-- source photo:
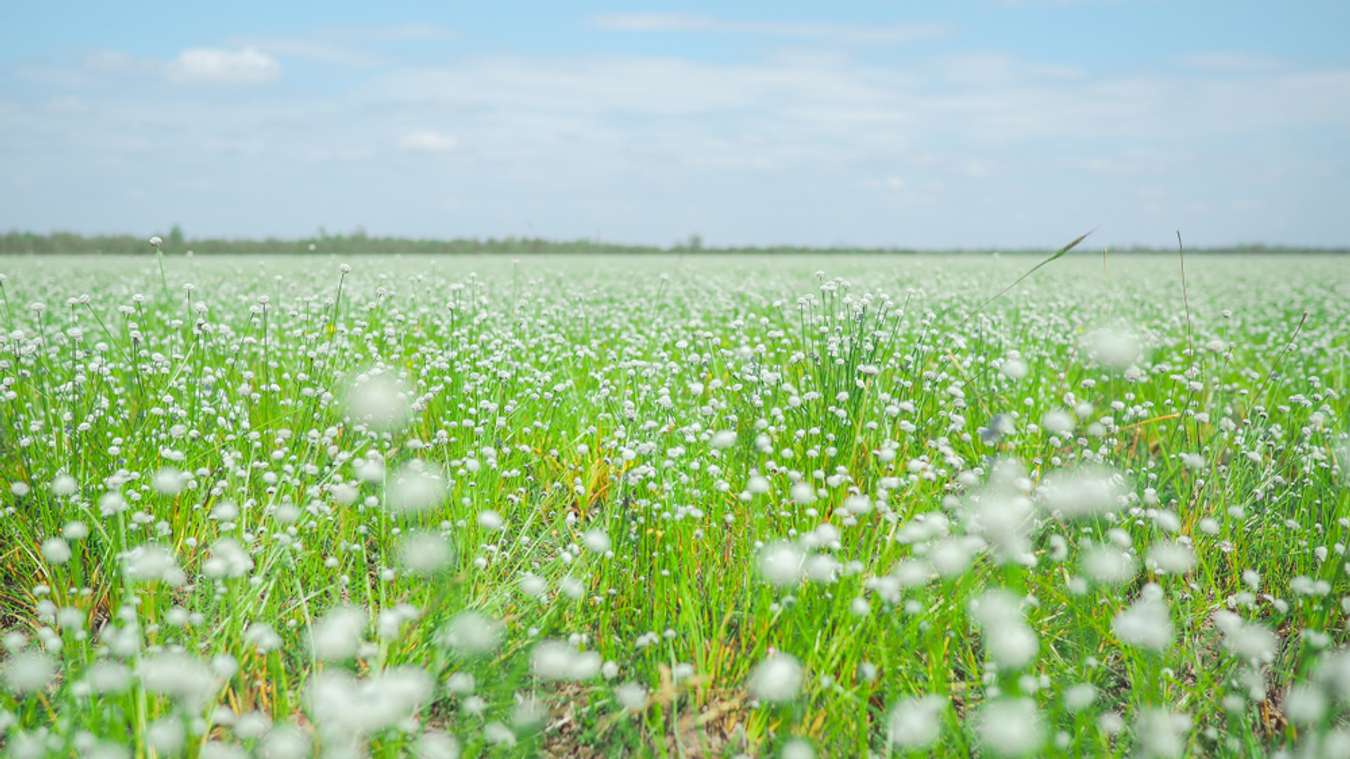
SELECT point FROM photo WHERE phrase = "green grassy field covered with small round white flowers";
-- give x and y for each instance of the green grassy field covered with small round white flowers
(445, 507)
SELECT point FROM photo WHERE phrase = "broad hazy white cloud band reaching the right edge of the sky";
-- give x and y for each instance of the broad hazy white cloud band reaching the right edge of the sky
(840, 106)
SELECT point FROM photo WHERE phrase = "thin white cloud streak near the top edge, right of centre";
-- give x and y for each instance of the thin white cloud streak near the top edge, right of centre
(815, 32)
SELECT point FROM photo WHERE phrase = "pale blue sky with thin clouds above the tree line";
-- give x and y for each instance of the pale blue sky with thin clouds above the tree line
(1006, 124)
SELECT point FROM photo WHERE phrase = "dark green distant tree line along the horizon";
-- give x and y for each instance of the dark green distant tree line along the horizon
(358, 242)
